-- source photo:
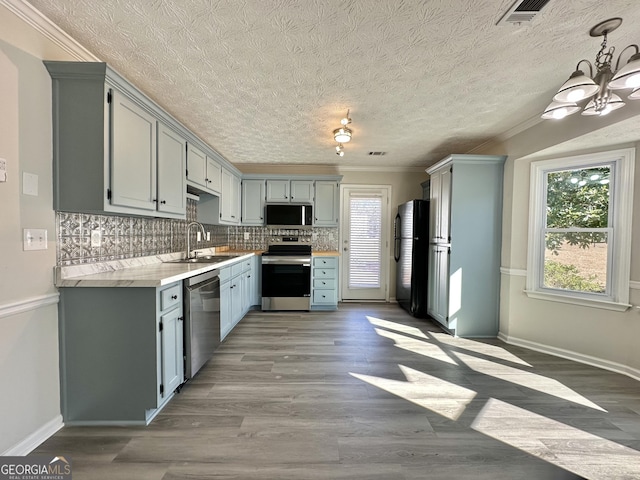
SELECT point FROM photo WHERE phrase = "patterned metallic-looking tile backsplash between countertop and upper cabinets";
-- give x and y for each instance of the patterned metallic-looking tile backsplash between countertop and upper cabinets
(127, 237)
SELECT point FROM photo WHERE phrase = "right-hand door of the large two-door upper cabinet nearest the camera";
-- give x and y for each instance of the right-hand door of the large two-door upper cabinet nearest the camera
(171, 166)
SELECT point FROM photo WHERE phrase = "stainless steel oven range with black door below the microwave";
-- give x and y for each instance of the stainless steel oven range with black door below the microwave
(286, 274)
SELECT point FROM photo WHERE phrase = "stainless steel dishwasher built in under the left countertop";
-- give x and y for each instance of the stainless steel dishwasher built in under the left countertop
(202, 320)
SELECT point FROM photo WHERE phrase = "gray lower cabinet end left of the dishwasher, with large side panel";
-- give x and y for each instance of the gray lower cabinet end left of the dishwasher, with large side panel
(121, 352)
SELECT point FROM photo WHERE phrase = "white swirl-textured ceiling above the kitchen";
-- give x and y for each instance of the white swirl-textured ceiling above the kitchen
(266, 81)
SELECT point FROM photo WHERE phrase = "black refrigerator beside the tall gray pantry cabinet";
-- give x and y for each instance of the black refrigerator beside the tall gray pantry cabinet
(411, 252)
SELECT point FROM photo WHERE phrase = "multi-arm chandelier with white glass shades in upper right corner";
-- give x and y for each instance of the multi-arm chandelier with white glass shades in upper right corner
(598, 88)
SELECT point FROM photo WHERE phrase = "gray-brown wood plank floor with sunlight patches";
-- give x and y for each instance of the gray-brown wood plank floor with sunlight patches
(369, 392)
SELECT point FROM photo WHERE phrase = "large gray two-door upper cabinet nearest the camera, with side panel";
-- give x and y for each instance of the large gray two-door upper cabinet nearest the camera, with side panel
(113, 149)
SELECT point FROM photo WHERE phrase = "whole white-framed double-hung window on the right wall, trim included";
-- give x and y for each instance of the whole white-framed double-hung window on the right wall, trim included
(580, 229)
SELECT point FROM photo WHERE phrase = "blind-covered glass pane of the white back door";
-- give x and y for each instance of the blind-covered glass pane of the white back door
(365, 233)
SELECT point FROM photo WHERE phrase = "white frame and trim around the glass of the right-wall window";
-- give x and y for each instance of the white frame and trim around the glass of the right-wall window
(622, 163)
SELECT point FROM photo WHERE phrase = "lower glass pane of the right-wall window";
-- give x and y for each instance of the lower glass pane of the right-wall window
(576, 261)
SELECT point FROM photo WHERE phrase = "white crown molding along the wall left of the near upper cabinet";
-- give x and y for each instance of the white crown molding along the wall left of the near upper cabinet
(32, 17)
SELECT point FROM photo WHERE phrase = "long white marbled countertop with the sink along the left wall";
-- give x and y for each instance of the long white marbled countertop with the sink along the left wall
(136, 272)
